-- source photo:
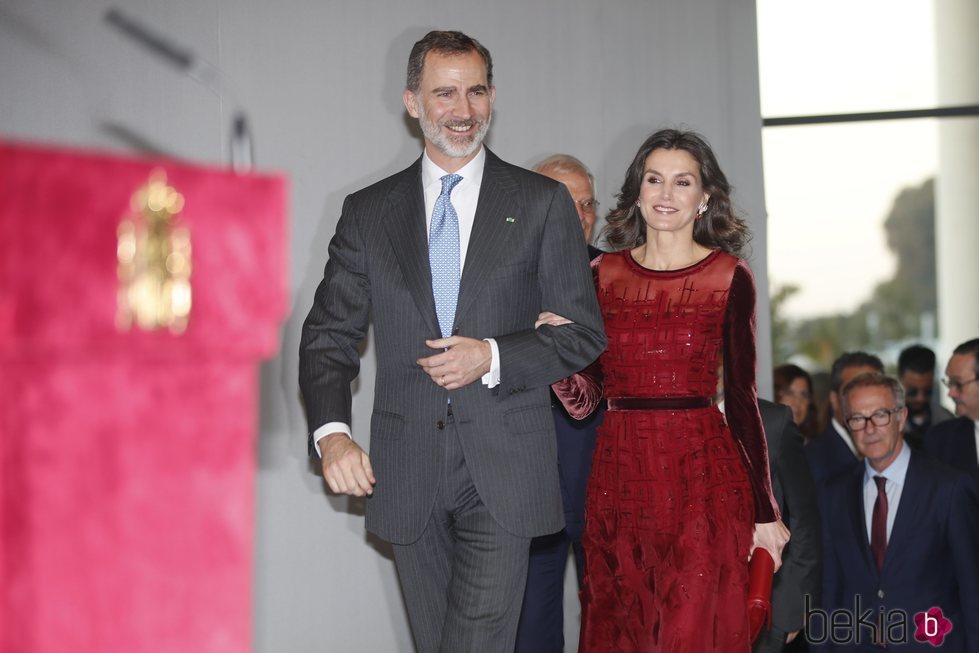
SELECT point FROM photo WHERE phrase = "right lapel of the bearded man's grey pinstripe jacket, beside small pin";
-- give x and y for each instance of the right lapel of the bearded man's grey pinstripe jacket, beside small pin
(498, 201)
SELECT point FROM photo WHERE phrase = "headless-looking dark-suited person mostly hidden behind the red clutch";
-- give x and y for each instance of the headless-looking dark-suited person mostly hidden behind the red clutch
(795, 492)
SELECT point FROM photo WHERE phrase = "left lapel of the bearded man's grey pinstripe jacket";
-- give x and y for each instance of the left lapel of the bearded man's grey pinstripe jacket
(406, 229)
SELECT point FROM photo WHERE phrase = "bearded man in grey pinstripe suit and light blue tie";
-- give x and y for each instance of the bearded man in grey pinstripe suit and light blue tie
(462, 471)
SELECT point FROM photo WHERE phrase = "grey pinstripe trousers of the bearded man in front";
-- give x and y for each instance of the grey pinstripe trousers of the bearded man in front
(463, 580)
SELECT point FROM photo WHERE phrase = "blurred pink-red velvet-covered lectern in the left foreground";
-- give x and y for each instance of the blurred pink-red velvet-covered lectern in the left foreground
(127, 458)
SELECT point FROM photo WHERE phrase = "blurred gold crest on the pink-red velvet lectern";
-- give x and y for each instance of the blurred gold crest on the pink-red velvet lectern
(154, 266)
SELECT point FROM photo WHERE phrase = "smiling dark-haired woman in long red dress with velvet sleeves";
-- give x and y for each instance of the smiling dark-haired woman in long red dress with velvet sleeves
(678, 496)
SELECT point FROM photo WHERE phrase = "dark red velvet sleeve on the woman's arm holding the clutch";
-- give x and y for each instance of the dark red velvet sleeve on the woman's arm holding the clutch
(740, 391)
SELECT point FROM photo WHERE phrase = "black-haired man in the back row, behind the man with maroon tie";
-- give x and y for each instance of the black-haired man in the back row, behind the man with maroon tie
(916, 372)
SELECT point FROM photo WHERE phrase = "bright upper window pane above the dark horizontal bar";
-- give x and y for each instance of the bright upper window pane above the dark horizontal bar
(841, 56)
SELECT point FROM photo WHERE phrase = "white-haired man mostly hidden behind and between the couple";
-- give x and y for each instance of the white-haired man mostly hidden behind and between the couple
(541, 627)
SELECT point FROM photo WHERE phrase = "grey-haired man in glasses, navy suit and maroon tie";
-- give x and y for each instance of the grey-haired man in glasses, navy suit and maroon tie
(901, 532)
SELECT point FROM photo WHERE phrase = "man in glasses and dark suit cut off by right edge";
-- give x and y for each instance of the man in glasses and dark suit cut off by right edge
(956, 442)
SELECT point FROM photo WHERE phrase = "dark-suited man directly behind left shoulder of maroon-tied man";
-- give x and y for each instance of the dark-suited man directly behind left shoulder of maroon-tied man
(833, 449)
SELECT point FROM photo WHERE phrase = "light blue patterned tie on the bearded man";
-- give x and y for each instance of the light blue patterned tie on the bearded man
(443, 255)
